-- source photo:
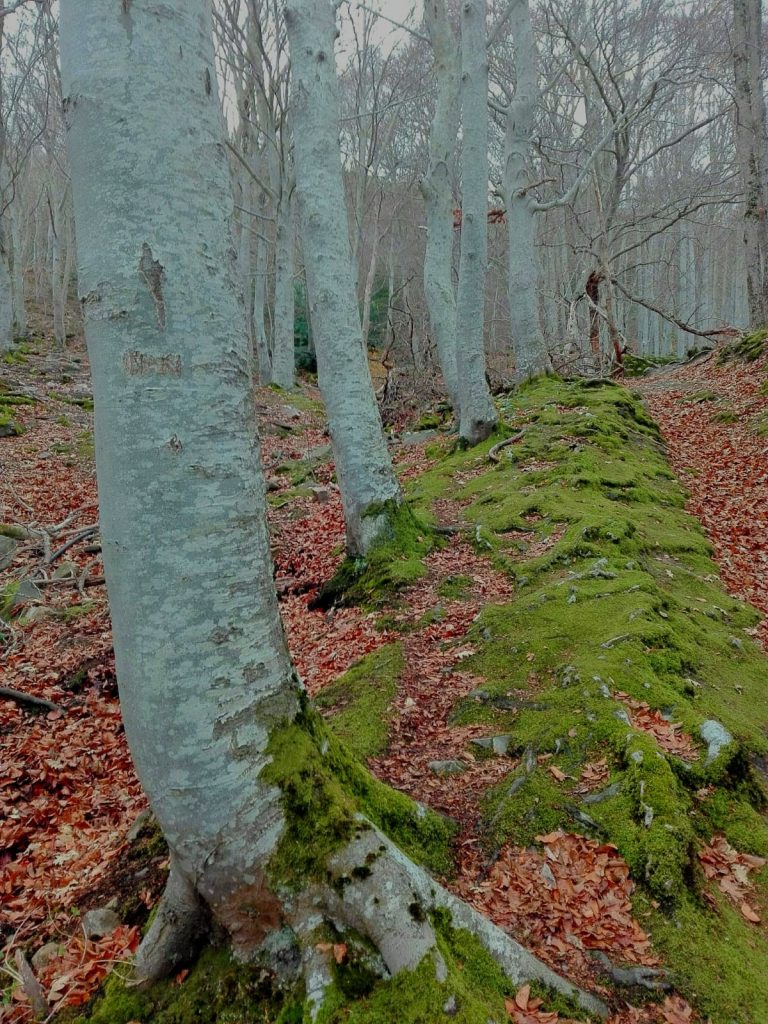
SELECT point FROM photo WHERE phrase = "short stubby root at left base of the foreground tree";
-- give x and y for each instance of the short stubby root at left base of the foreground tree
(177, 934)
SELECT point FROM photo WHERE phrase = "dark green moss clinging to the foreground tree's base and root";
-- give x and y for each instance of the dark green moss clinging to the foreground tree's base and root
(324, 791)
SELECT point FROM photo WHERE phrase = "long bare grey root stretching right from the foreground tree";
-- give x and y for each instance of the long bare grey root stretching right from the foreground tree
(378, 891)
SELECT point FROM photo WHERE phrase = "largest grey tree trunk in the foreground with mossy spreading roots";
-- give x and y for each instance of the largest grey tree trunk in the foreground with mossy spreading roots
(244, 781)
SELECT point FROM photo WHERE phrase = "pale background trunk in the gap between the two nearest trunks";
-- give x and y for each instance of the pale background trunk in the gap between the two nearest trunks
(283, 362)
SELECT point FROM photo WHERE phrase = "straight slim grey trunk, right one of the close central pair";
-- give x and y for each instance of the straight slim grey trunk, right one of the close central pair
(478, 417)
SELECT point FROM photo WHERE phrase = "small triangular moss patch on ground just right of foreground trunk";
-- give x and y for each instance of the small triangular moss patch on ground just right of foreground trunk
(358, 705)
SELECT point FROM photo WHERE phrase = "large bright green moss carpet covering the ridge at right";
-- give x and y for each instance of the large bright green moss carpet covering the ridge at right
(626, 598)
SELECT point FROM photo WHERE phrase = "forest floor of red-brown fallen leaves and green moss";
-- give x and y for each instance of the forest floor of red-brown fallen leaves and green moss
(494, 703)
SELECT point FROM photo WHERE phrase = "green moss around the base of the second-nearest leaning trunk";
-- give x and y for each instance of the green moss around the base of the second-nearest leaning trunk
(395, 563)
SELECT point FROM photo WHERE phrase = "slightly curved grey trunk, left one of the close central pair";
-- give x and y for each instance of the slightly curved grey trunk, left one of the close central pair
(439, 196)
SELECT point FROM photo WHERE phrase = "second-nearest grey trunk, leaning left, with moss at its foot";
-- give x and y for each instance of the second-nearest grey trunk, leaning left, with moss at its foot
(363, 463)
